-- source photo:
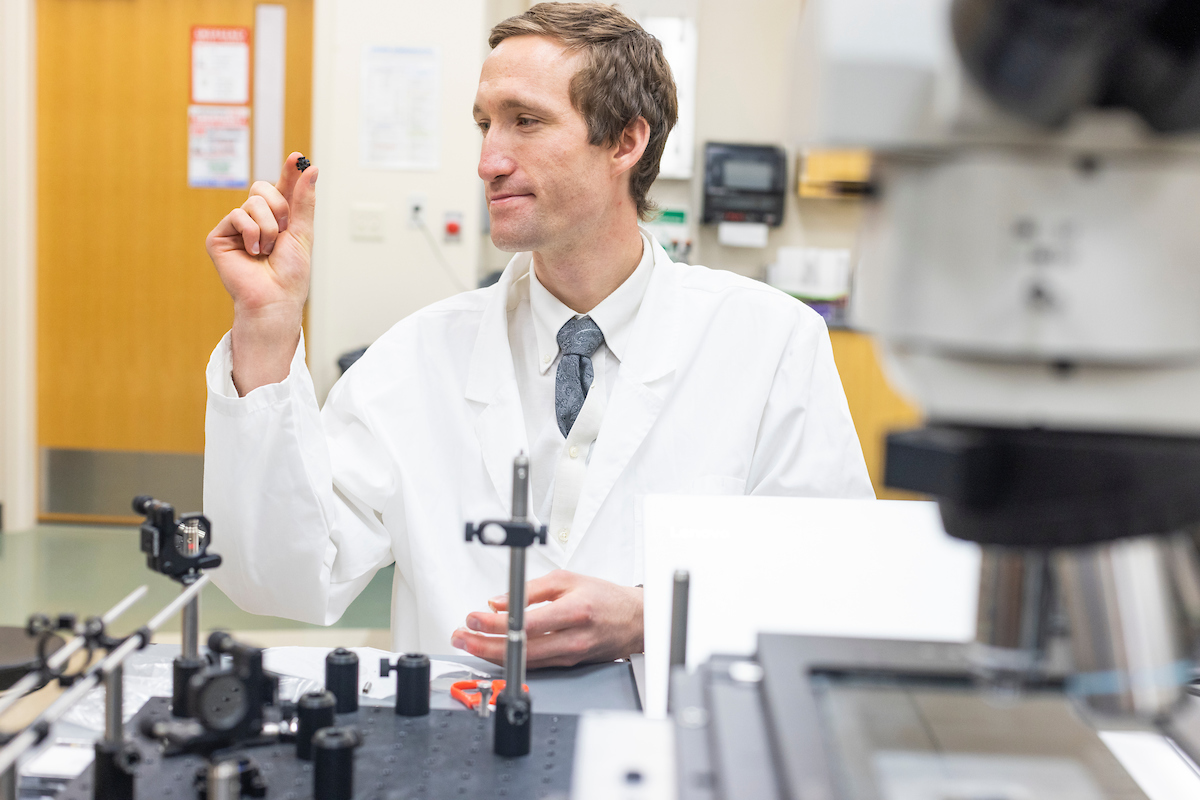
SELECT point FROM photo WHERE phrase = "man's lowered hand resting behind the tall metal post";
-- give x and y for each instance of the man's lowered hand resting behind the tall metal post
(585, 621)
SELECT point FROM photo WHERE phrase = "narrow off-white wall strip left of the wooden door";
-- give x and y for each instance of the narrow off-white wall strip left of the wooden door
(17, 298)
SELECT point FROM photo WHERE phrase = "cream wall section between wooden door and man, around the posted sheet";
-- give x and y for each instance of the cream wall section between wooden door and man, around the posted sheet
(362, 288)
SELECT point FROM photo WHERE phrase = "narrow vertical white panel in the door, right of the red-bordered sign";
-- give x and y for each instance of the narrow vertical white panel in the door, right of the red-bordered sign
(271, 67)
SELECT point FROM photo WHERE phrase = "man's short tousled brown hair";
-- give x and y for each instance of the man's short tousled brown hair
(625, 76)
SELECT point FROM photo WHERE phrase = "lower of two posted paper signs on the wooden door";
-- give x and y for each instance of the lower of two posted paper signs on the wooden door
(219, 147)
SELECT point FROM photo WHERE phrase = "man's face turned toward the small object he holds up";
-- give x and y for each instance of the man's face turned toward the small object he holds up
(545, 184)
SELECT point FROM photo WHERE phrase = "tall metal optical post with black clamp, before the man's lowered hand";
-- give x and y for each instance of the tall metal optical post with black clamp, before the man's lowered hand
(514, 711)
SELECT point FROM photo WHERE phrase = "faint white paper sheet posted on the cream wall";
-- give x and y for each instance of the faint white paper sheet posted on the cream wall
(400, 109)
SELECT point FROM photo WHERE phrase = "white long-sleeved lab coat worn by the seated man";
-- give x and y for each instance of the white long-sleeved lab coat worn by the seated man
(729, 387)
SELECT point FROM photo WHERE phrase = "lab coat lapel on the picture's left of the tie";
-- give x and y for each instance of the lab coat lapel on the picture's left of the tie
(491, 382)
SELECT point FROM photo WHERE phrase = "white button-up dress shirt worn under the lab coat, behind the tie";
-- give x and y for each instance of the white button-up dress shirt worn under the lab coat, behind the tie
(559, 464)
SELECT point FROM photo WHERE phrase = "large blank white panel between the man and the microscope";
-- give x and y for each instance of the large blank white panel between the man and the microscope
(872, 569)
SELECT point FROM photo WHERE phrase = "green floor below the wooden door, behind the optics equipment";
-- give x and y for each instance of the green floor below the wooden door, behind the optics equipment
(86, 570)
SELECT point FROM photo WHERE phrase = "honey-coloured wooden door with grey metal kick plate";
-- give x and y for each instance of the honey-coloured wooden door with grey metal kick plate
(129, 305)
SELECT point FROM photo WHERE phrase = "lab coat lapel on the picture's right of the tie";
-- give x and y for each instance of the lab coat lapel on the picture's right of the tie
(644, 384)
